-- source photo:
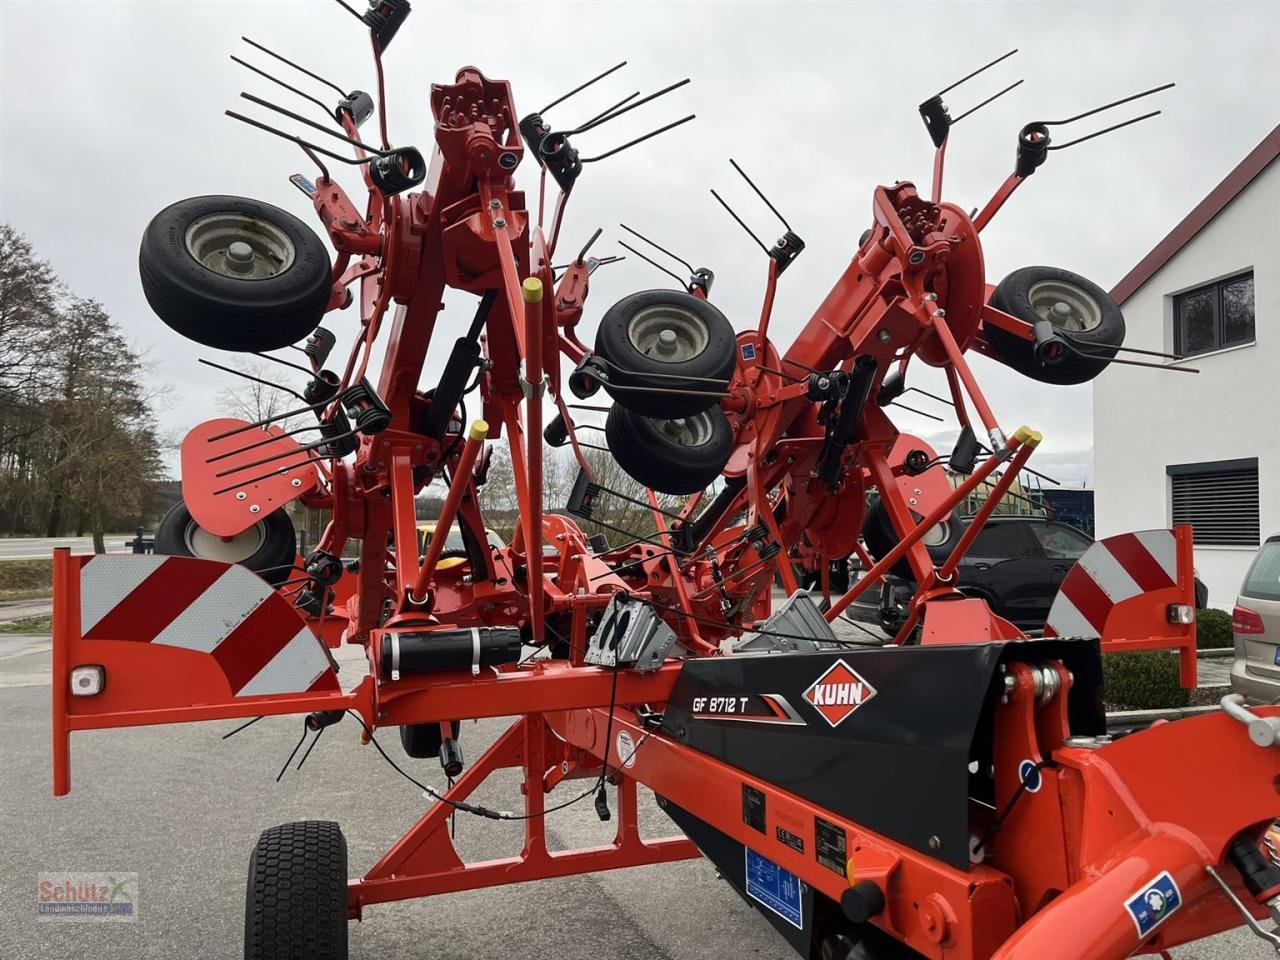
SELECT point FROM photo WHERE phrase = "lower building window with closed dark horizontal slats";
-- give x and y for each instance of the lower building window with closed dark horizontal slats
(1219, 500)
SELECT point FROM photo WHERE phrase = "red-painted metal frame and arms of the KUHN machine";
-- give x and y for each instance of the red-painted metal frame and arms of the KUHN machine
(1108, 815)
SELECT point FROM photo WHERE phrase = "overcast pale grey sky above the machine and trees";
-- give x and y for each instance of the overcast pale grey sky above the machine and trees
(112, 111)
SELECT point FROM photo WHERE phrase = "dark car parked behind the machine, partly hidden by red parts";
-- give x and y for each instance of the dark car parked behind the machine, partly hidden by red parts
(1016, 564)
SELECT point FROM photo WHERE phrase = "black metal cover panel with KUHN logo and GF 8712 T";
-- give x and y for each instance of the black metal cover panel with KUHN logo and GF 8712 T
(883, 737)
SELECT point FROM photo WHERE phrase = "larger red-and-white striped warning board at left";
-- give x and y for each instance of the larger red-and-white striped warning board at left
(258, 639)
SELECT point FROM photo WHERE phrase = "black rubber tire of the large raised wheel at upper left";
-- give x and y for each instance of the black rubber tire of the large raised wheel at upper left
(230, 313)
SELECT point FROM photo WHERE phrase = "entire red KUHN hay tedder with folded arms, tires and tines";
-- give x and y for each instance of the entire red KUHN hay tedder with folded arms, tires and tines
(950, 793)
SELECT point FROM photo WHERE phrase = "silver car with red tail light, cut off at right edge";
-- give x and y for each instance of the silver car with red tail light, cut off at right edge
(1256, 627)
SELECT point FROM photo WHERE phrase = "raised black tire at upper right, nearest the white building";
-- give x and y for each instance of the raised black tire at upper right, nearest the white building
(1013, 298)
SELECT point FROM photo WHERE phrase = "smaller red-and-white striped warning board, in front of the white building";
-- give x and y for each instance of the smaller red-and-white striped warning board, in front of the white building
(1112, 572)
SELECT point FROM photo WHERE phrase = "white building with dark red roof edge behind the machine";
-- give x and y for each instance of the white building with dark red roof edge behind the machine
(1203, 449)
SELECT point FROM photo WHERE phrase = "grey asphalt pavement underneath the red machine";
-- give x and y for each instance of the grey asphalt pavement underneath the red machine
(182, 808)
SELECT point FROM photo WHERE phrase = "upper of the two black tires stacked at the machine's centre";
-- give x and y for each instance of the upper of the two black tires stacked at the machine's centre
(714, 363)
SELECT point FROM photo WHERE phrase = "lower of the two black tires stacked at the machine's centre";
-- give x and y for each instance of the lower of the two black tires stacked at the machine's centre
(655, 460)
